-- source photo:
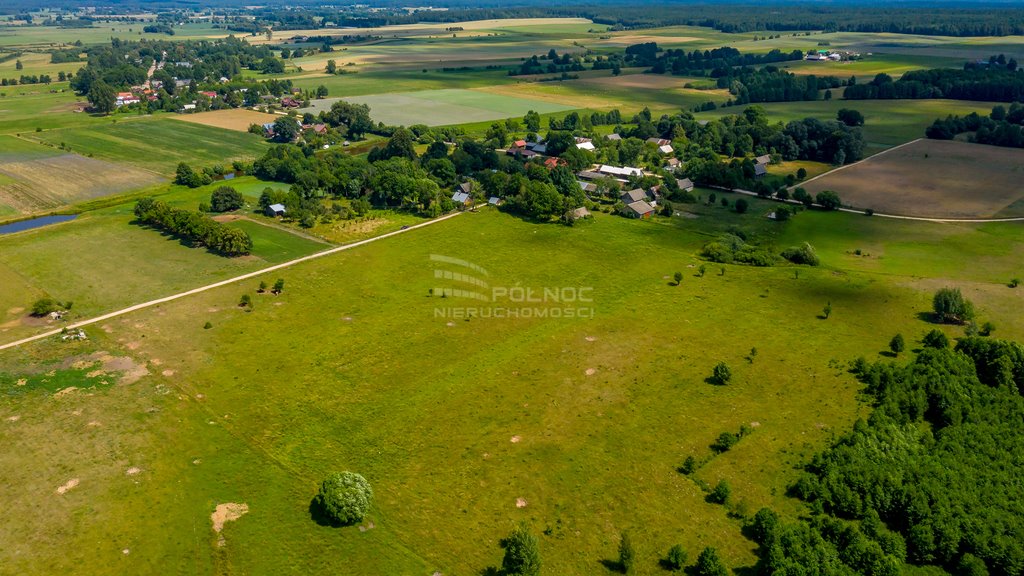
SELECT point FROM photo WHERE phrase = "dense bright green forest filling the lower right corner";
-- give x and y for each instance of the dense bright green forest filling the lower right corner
(931, 478)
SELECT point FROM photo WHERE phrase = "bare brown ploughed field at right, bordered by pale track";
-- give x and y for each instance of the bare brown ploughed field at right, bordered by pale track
(935, 179)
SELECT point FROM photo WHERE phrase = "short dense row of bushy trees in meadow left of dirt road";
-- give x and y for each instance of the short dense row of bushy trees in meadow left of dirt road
(194, 227)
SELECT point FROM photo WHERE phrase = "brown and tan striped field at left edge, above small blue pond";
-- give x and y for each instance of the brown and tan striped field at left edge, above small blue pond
(50, 183)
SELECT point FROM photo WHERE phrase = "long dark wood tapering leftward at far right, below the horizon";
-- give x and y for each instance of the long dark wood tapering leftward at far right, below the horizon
(996, 80)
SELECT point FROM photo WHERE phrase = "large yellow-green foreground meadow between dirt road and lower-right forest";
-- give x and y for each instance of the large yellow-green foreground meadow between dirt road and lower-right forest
(454, 421)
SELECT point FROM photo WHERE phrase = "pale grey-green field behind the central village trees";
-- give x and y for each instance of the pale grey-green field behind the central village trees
(437, 108)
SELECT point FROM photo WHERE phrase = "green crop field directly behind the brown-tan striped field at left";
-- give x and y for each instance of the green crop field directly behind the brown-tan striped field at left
(158, 144)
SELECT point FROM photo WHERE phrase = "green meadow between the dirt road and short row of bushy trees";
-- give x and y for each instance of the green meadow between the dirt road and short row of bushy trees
(103, 263)
